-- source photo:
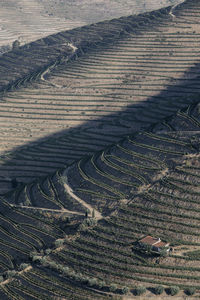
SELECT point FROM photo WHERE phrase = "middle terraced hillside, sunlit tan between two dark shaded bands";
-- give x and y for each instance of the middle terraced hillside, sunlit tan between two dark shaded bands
(104, 89)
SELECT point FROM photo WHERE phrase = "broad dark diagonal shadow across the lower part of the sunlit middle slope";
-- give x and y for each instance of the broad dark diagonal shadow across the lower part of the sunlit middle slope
(145, 115)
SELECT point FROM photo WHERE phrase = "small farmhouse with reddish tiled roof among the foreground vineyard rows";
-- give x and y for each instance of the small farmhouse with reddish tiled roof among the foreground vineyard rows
(153, 244)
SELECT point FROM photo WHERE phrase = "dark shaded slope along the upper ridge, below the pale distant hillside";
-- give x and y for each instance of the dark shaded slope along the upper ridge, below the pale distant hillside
(25, 63)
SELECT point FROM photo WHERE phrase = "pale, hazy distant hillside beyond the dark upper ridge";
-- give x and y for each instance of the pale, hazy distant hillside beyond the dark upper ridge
(27, 21)
